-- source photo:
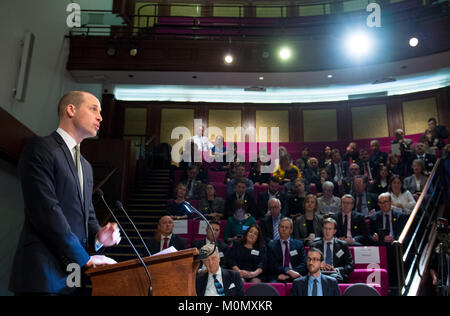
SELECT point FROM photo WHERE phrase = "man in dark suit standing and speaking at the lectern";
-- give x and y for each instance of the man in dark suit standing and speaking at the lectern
(60, 221)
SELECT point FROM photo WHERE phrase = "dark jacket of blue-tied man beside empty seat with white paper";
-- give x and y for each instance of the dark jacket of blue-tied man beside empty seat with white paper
(344, 263)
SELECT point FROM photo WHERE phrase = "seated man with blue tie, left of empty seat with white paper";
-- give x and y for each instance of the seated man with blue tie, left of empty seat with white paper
(338, 259)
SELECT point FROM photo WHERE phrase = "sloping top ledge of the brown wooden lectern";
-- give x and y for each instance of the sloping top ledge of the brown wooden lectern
(135, 263)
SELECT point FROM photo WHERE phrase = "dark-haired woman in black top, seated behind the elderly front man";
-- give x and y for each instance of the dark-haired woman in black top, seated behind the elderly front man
(248, 257)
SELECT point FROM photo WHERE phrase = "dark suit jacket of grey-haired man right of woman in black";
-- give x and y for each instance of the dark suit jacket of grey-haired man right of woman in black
(275, 258)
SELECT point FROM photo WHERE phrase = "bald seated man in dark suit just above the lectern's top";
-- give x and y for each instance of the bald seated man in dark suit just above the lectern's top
(165, 238)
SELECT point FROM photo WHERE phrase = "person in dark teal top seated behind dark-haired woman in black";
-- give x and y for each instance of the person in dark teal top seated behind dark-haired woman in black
(238, 223)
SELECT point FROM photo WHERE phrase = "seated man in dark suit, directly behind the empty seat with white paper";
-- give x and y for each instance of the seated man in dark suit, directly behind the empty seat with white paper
(351, 225)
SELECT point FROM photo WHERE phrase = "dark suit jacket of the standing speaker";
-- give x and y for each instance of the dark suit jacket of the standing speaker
(59, 223)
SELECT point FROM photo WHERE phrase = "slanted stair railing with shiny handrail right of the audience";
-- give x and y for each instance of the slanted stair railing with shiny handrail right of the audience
(413, 240)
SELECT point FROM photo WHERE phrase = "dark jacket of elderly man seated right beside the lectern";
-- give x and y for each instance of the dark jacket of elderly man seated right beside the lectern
(229, 277)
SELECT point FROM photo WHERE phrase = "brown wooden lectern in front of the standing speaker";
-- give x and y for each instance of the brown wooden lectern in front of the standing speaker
(172, 274)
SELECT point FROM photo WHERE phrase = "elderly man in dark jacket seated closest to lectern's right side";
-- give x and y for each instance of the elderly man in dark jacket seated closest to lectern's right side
(215, 281)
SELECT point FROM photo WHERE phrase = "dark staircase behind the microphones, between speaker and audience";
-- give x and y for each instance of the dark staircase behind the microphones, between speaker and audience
(145, 207)
